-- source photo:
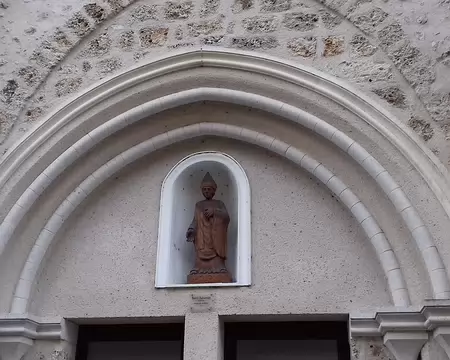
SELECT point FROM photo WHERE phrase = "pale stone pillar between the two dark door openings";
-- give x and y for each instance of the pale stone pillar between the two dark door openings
(203, 337)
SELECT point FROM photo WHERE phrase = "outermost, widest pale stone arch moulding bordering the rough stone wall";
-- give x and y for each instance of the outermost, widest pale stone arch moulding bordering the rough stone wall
(431, 169)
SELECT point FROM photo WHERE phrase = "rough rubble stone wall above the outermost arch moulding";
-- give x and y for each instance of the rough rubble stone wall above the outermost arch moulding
(396, 52)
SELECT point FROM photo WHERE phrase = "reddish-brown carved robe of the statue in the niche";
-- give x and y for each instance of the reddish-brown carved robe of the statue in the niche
(210, 235)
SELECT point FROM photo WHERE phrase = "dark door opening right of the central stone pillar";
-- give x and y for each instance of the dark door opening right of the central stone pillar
(321, 340)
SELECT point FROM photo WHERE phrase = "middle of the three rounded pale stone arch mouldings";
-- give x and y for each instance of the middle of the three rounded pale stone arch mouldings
(439, 278)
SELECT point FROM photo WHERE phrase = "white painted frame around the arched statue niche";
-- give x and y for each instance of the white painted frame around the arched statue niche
(168, 251)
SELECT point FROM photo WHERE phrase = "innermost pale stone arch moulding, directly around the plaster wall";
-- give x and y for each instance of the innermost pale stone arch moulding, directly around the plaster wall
(391, 268)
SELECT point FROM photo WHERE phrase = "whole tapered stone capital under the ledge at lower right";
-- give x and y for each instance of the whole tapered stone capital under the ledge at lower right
(405, 345)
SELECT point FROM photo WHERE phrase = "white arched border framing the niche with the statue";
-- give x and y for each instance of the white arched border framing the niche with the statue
(244, 233)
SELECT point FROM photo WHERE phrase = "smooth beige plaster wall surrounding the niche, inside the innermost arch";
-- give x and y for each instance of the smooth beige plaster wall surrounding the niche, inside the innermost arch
(104, 263)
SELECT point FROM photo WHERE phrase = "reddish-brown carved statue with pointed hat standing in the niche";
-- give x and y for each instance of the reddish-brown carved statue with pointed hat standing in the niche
(208, 232)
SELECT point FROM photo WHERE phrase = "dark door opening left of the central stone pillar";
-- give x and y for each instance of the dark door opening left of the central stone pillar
(140, 341)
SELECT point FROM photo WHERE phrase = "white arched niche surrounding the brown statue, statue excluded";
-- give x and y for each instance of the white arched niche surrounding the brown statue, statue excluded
(180, 191)
